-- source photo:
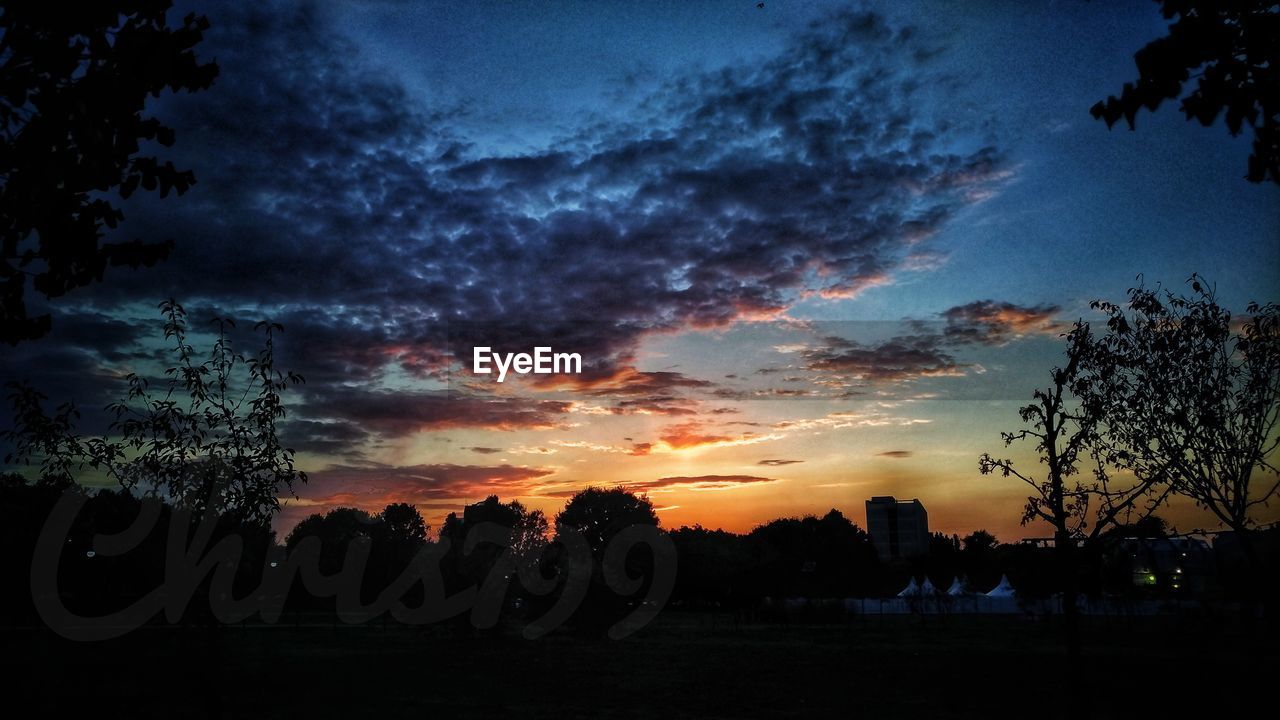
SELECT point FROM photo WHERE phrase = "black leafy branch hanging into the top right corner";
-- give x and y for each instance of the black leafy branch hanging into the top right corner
(1232, 49)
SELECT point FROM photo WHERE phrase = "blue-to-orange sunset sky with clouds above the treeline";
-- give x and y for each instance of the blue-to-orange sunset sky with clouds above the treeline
(810, 253)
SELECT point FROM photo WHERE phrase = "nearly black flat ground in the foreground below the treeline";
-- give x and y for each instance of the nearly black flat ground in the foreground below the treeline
(684, 666)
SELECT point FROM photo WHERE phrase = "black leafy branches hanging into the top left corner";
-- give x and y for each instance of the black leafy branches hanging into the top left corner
(74, 88)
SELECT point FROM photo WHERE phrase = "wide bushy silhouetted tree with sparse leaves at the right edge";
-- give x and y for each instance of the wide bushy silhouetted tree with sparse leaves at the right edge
(1191, 398)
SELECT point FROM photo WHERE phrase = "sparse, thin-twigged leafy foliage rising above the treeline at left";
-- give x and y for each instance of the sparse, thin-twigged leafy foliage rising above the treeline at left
(207, 441)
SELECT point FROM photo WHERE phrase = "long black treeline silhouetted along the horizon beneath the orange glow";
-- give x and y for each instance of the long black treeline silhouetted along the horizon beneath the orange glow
(500, 562)
